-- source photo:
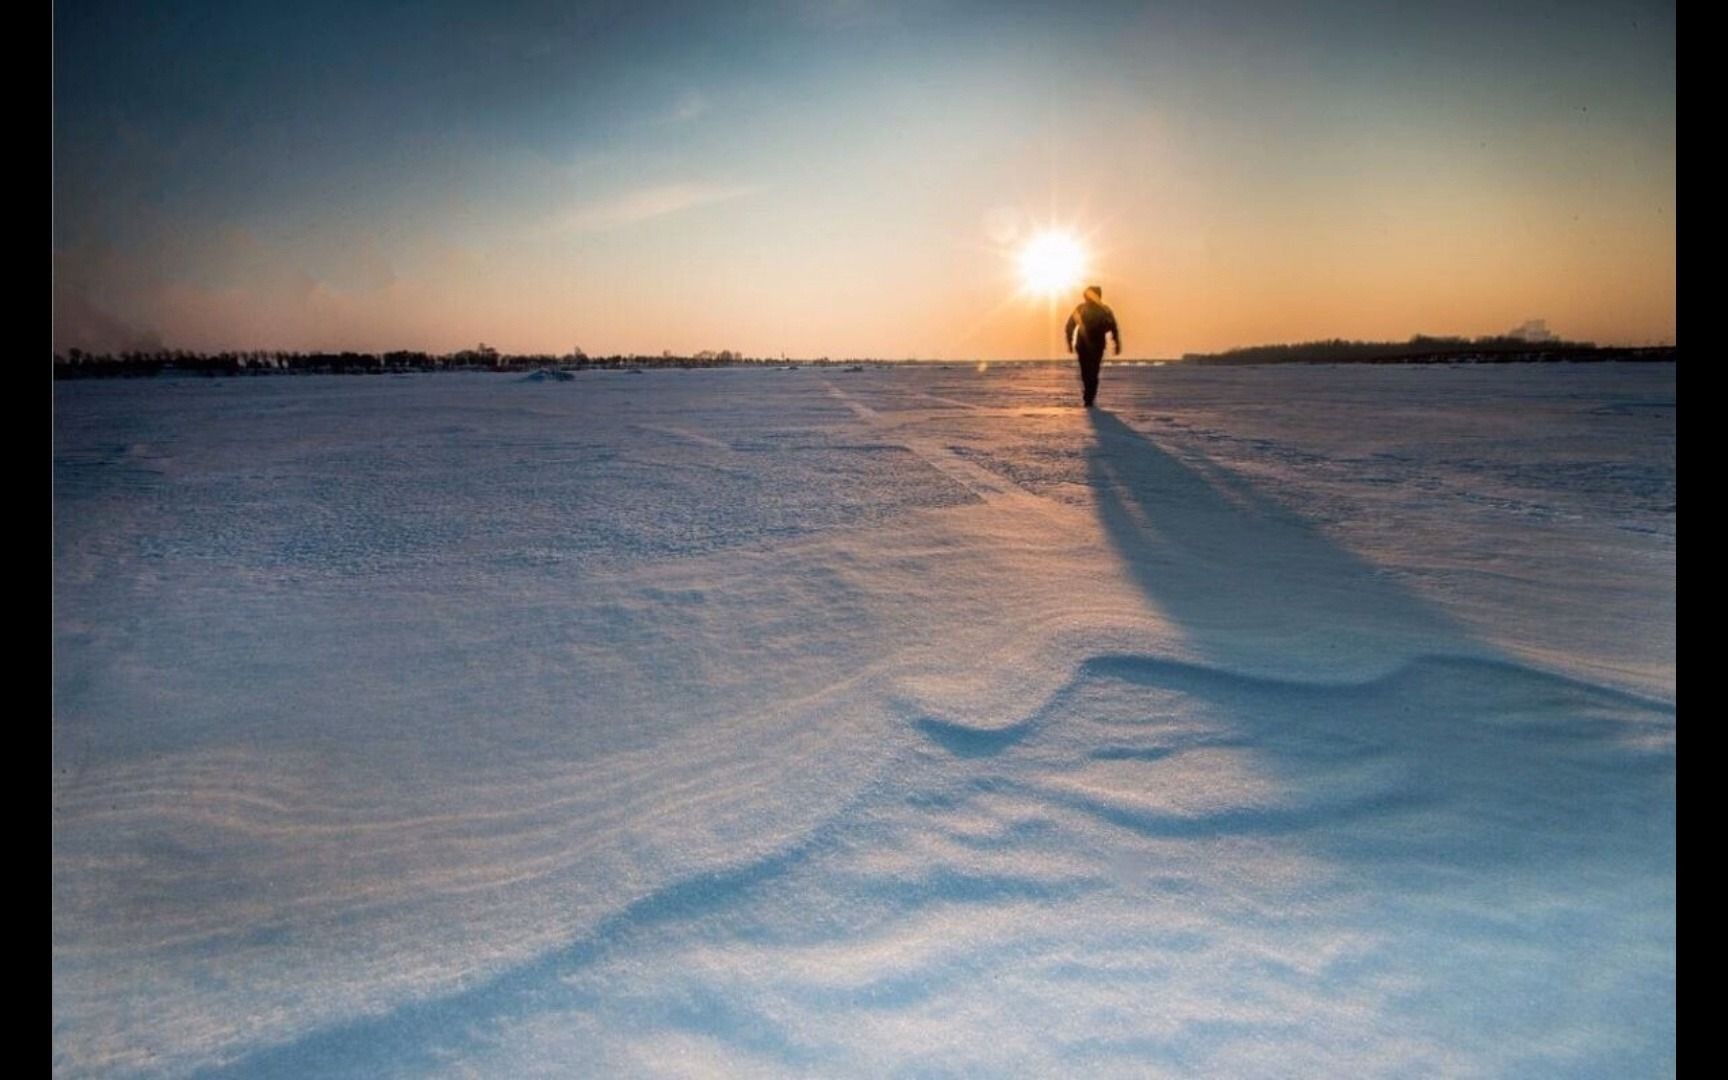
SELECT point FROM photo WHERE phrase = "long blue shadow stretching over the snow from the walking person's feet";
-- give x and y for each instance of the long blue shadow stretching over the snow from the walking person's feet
(1473, 732)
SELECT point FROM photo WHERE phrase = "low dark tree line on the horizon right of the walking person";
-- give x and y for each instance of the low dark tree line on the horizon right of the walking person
(1430, 350)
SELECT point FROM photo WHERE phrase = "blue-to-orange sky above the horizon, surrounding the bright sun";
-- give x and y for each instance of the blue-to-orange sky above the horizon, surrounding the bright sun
(846, 179)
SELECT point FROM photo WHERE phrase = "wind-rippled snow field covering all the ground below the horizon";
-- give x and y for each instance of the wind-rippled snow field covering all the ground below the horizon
(1266, 723)
